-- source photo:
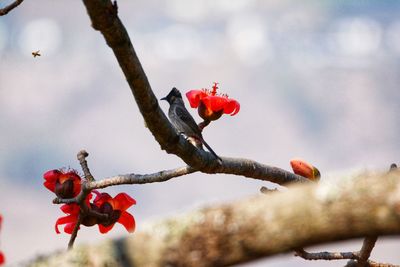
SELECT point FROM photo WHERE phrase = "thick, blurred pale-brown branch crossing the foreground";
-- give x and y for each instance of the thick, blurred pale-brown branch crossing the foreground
(252, 228)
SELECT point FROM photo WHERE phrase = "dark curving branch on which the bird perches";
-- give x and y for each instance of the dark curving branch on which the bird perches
(103, 15)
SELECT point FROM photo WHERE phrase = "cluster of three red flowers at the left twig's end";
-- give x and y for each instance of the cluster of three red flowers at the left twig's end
(68, 185)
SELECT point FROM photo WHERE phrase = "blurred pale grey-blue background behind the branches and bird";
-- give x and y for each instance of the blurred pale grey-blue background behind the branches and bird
(315, 79)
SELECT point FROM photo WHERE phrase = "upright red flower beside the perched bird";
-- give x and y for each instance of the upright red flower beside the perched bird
(210, 105)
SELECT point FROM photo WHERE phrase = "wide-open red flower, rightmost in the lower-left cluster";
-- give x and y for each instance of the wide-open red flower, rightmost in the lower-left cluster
(116, 209)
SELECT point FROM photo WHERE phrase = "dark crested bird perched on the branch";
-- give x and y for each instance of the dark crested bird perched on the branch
(183, 121)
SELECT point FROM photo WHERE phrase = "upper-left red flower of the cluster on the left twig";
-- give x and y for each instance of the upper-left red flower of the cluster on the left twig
(63, 184)
